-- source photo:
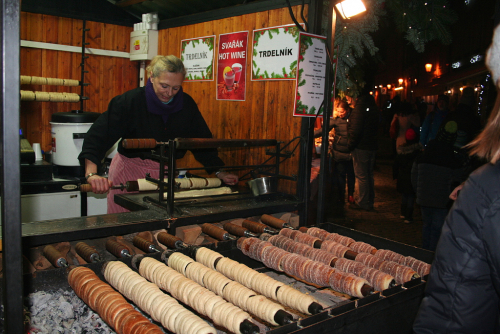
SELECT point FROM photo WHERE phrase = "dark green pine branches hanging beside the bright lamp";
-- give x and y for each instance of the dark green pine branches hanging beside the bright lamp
(420, 20)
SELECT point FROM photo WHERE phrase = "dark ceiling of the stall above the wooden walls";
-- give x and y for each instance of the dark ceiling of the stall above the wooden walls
(171, 12)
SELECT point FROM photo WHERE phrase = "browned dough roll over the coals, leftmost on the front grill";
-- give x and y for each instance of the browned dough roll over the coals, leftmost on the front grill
(108, 303)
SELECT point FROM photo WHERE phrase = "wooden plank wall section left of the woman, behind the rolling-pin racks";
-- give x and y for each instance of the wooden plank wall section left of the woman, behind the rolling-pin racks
(107, 76)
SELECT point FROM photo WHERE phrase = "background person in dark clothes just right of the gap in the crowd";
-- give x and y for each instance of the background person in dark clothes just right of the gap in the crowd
(406, 155)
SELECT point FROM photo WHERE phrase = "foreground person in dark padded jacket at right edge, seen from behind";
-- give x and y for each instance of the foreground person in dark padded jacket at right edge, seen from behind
(463, 290)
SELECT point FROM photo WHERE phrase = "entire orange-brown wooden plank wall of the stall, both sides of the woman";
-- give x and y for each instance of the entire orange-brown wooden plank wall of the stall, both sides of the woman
(266, 113)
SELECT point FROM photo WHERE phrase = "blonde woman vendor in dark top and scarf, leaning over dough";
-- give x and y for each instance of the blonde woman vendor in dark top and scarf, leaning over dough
(160, 110)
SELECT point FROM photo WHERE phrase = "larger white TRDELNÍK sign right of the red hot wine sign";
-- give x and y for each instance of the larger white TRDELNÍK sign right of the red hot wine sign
(275, 53)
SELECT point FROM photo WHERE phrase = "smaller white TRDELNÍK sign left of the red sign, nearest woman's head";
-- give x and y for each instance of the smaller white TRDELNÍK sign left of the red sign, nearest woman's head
(198, 57)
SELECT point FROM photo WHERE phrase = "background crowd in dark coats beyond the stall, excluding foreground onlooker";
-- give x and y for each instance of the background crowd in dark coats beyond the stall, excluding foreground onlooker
(430, 158)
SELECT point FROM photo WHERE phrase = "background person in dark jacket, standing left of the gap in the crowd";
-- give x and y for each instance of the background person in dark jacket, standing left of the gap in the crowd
(363, 146)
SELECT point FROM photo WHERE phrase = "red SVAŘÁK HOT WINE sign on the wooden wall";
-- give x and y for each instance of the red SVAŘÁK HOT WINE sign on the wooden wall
(232, 64)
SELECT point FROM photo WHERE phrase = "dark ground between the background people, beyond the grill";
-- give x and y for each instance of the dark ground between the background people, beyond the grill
(385, 222)
